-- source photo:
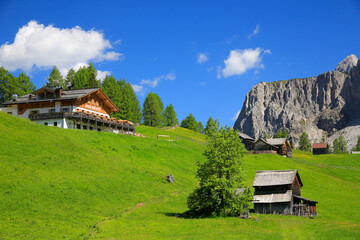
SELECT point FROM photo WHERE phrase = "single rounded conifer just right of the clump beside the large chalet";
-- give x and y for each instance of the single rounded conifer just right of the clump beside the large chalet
(152, 110)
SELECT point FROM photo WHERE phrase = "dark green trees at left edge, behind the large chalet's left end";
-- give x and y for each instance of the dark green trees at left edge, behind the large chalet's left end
(10, 85)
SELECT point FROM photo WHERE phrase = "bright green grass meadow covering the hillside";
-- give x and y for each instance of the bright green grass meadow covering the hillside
(71, 184)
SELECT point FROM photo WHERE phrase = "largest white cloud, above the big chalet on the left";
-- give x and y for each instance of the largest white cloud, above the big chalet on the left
(36, 45)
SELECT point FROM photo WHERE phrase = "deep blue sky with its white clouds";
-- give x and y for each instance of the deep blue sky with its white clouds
(201, 56)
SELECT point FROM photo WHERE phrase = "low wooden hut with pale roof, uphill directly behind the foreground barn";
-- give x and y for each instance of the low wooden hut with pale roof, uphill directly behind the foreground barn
(273, 145)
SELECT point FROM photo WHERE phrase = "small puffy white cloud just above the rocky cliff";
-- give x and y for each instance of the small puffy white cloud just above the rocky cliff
(241, 60)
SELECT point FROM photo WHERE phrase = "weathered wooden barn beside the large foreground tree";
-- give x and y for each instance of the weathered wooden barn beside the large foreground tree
(279, 192)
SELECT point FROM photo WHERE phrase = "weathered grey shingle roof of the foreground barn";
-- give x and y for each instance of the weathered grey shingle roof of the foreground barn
(277, 177)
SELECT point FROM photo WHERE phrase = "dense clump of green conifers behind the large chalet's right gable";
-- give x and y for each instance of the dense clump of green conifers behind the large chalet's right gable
(124, 97)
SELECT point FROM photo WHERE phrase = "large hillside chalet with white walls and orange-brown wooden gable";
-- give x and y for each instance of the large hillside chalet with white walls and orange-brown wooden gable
(79, 109)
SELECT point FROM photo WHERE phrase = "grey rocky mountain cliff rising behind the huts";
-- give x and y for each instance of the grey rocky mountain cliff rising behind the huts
(325, 106)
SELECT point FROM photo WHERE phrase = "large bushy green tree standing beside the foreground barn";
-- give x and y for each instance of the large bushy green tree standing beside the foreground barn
(220, 175)
